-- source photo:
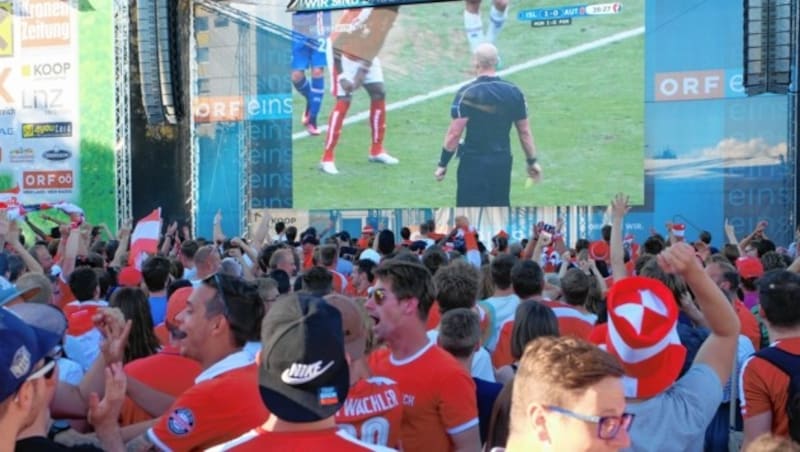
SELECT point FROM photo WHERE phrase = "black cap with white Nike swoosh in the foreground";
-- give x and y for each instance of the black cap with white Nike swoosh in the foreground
(303, 374)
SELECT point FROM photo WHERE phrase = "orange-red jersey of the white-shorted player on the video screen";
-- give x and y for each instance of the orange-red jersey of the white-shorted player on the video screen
(360, 33)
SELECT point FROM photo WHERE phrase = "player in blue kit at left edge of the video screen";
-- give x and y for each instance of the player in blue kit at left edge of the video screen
(309, 43)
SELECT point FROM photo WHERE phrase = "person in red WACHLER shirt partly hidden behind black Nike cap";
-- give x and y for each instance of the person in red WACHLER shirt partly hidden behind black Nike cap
(373, 411)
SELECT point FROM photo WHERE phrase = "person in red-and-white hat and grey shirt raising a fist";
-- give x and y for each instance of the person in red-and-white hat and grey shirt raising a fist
(671, 414)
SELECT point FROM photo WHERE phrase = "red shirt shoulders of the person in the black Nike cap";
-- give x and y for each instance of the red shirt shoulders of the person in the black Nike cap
(330, 440)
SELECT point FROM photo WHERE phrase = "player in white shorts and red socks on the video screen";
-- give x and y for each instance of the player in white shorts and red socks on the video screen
(357, 39)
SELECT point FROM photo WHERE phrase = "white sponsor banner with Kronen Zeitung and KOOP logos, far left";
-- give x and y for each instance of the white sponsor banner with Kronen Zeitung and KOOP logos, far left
(39, 100)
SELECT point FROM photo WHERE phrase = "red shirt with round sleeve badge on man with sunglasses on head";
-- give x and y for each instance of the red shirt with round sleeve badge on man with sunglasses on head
(224, 403)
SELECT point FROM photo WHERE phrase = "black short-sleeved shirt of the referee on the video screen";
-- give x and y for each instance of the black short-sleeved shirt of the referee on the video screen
(492, 106)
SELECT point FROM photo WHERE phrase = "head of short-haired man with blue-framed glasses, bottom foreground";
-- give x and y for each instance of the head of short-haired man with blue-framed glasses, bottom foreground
(568, 396)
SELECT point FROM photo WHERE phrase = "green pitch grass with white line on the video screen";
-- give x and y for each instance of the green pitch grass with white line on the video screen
(586, 112)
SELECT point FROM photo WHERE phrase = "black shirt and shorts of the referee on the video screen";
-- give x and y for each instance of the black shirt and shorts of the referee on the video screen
(484, 171)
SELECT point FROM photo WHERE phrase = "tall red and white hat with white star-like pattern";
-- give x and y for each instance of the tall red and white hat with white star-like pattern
(642, 320)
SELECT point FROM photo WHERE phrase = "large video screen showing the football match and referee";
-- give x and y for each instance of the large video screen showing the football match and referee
(376, 92)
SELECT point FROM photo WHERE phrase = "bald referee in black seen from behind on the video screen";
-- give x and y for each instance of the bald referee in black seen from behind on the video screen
(486, 108)
